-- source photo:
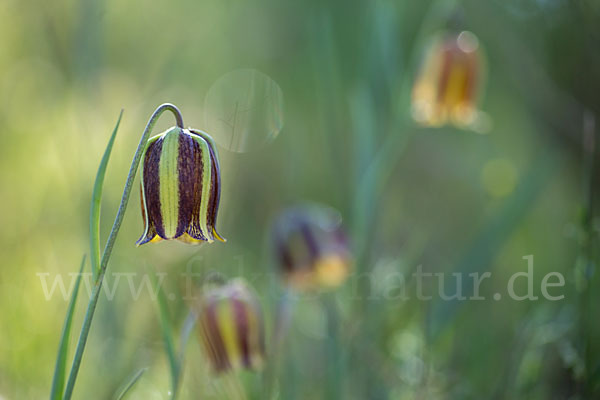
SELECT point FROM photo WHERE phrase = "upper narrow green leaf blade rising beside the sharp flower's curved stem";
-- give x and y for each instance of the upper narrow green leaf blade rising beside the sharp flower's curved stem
(96, 200)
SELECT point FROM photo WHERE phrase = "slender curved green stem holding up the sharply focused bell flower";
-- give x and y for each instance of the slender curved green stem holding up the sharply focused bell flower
(89, 315)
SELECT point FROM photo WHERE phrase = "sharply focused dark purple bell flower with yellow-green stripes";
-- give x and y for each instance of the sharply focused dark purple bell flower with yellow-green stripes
(180, 187)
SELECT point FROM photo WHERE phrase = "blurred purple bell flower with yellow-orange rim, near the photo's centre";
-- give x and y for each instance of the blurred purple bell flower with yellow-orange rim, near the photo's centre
(311, 248)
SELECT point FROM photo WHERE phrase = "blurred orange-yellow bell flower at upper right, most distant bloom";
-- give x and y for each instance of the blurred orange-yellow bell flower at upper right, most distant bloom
(448, 81)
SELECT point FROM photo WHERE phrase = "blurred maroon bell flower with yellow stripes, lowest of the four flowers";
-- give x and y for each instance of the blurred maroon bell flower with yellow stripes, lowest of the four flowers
(232, 327)
